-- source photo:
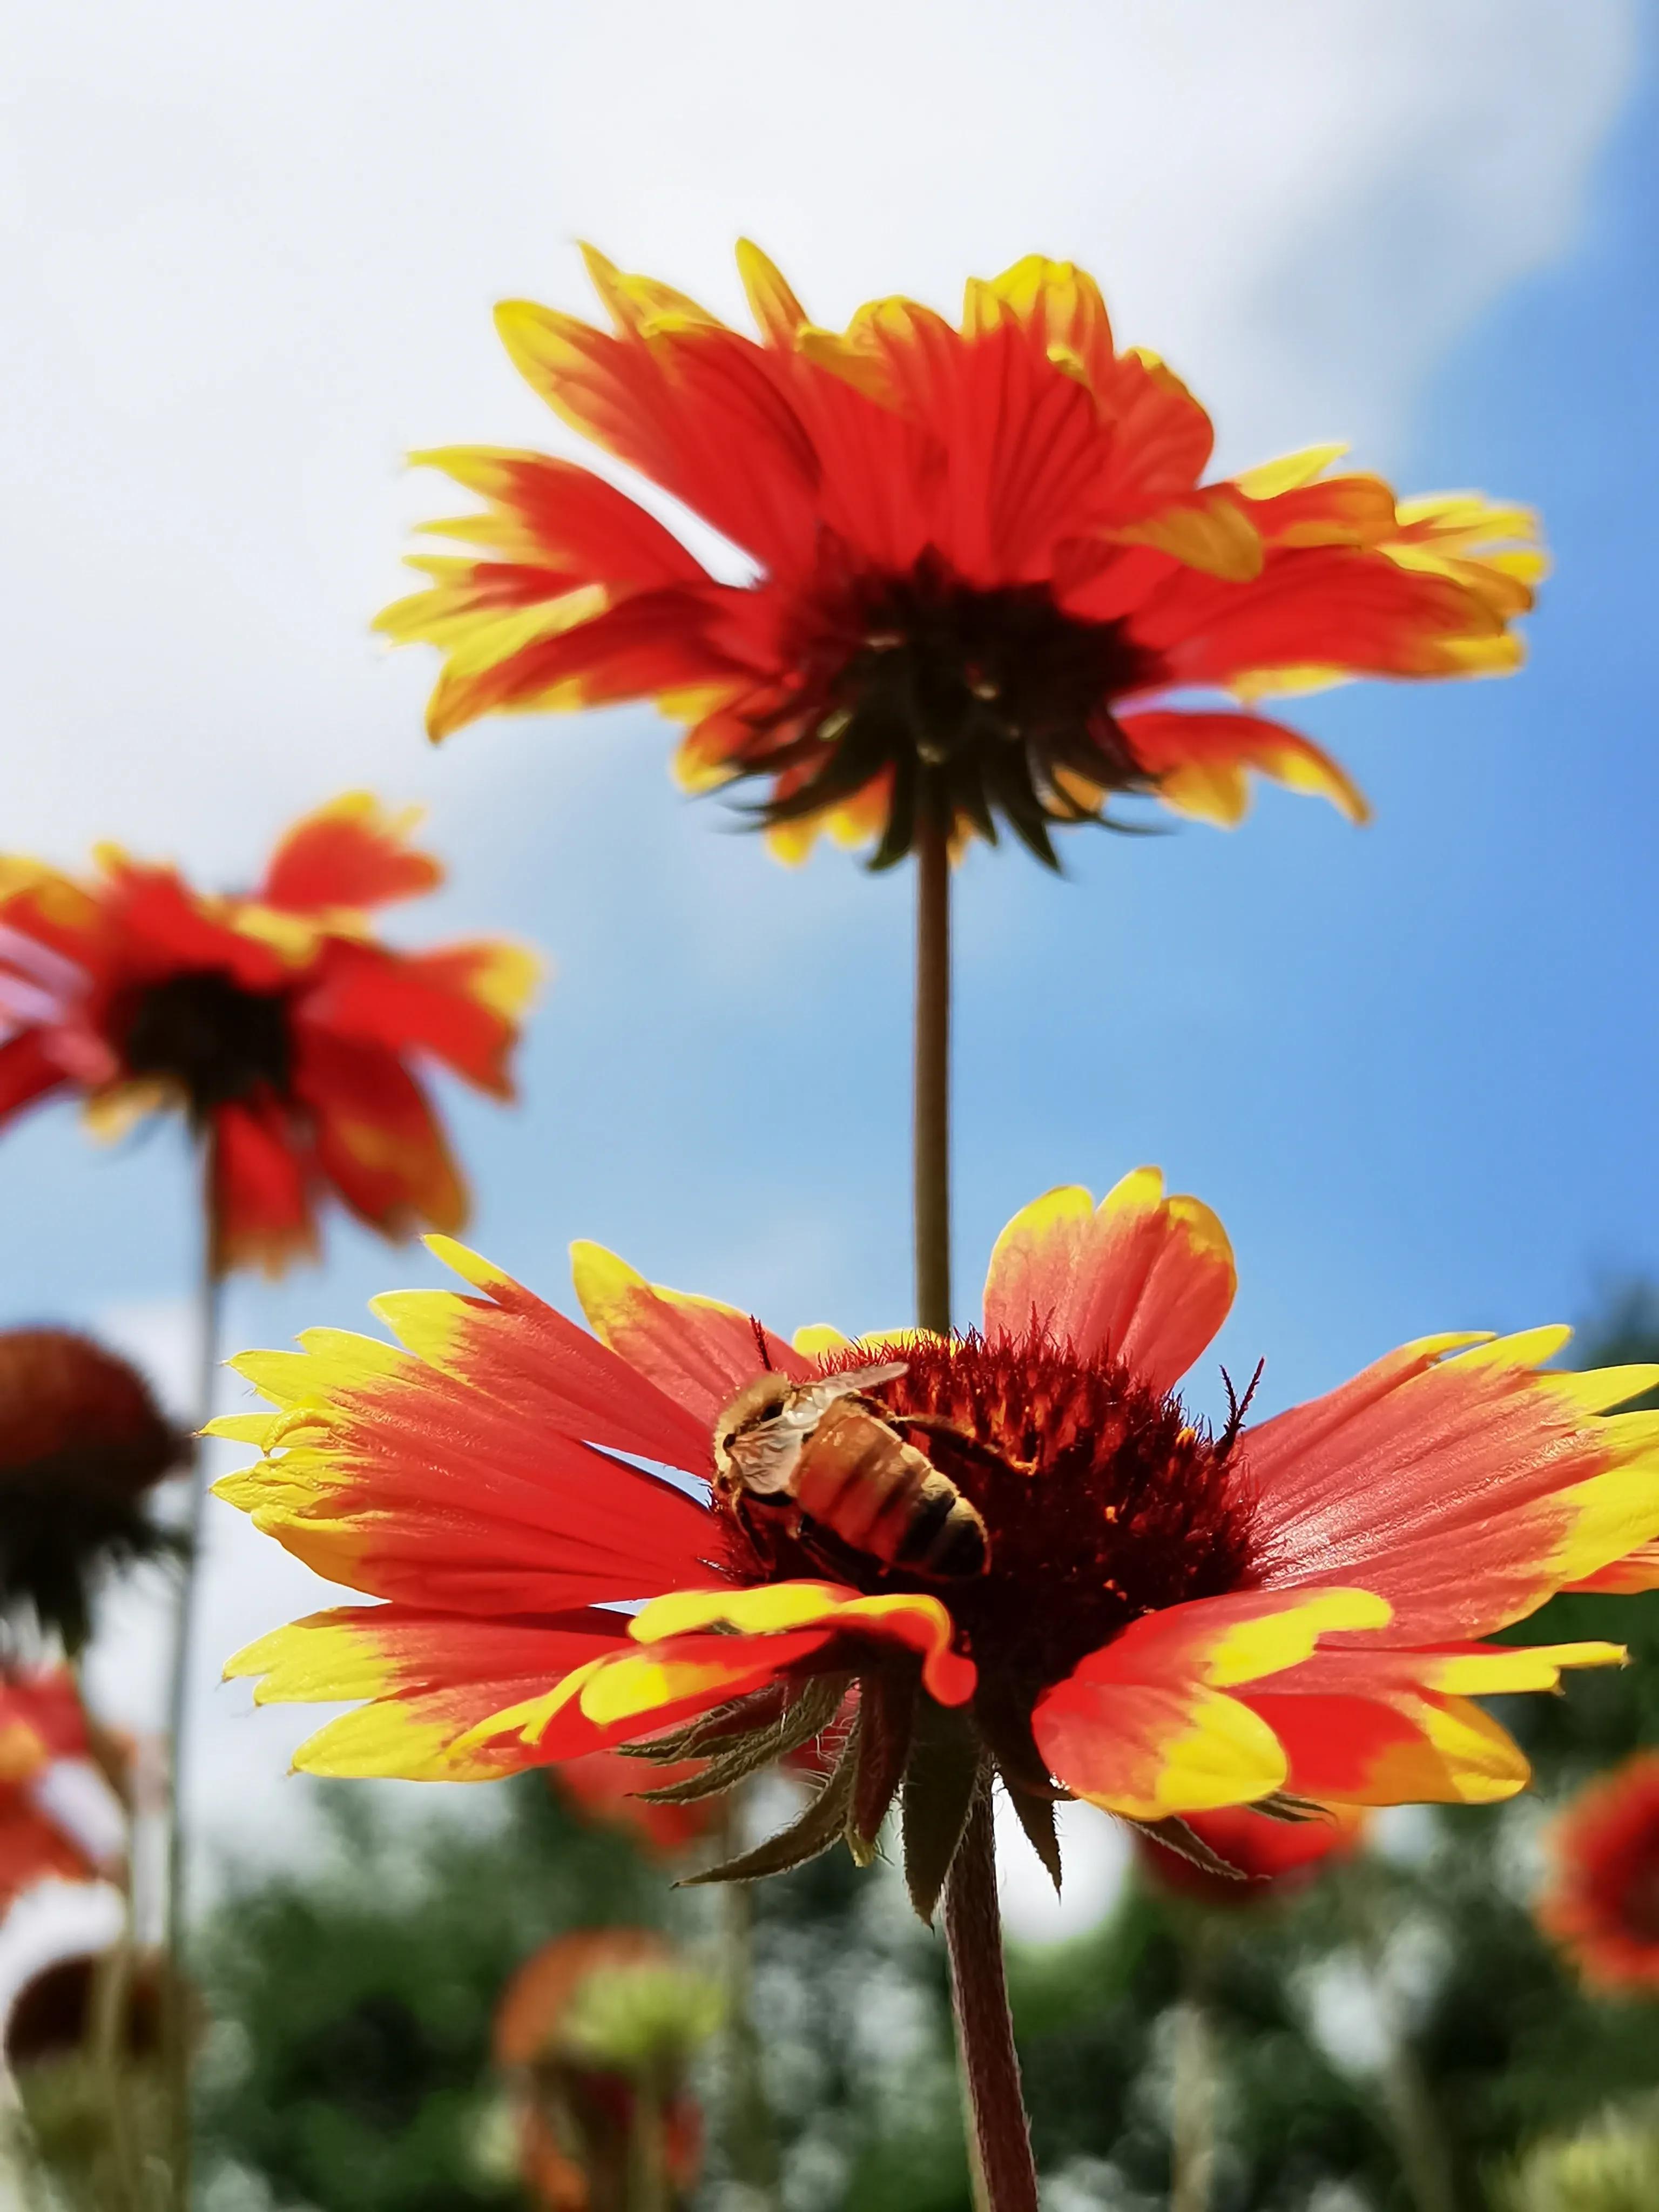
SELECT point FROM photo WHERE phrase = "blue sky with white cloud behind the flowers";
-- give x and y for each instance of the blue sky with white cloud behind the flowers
(1412, 1067)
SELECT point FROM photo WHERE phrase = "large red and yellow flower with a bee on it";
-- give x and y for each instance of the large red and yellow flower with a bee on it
(1162, 1623)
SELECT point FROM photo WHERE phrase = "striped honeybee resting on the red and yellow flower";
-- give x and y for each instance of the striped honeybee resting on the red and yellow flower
(824, 1452)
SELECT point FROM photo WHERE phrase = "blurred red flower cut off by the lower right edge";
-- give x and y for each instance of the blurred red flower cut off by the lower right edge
(1603, 1903)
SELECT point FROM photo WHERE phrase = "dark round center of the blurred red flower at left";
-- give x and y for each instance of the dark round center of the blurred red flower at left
(211, 1036)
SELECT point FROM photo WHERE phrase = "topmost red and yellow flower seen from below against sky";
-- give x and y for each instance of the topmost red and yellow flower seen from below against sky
(979, 563)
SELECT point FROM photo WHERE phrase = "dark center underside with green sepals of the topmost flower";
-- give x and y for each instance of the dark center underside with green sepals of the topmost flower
(979, 702)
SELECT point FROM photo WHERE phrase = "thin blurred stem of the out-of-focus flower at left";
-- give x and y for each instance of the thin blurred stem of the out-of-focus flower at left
(176, 2018)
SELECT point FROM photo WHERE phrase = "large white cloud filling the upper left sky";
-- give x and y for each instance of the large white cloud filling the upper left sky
(251, 258)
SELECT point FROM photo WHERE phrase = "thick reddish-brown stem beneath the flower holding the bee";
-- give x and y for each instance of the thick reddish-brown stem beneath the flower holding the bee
(985, 2030)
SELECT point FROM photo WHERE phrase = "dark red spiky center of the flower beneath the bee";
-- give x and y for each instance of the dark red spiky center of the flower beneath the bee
(1100, 1503)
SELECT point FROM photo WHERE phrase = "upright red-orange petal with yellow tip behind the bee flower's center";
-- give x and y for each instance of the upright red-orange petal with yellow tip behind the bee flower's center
(1142, 1277)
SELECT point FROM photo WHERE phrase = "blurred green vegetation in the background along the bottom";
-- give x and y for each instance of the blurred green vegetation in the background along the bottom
(1399, 2012)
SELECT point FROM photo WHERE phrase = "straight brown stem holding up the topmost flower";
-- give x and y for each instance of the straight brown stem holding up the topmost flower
(932, 1067)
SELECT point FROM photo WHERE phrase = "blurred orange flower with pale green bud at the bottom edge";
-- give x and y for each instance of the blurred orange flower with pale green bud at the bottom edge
(598, 2034)
